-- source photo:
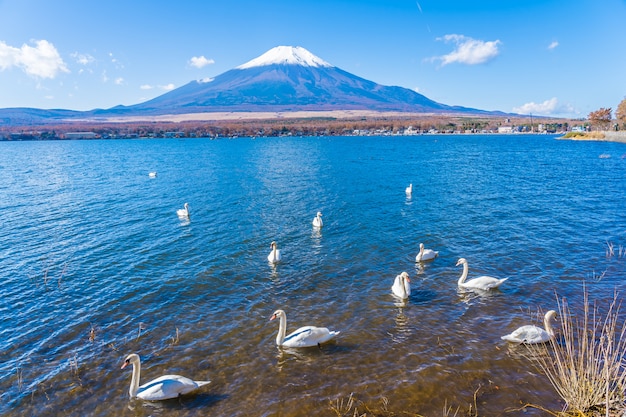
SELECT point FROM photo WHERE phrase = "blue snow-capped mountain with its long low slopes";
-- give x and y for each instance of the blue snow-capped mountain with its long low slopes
(283, 79)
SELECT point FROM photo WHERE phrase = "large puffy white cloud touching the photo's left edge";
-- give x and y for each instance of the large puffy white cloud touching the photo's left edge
(40, 61)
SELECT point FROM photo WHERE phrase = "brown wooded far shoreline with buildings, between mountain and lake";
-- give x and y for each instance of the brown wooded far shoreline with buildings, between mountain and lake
(323, 126)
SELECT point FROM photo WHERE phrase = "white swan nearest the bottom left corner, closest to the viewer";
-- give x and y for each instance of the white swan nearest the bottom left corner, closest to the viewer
(162, 388)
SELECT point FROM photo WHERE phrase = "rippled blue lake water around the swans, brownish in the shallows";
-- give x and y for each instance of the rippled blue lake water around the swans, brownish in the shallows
(95, 264)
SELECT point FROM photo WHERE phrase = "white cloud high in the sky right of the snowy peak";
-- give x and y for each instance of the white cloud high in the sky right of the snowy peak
(468, 51)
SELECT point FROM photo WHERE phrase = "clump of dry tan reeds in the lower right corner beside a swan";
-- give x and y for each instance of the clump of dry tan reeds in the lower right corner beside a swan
(585, 365)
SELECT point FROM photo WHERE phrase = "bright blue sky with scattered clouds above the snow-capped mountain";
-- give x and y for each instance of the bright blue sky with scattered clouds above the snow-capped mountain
(559, 58)
